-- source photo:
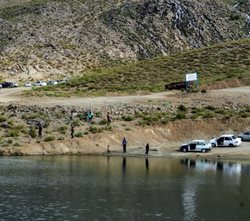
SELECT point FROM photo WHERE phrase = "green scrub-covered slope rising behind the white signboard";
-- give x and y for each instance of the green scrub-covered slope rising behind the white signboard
(214, 63)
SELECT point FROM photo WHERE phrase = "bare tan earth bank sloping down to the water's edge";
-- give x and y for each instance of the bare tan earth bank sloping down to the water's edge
(163, 140)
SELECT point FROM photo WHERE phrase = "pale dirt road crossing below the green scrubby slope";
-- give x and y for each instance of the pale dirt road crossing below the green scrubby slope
(238, 95)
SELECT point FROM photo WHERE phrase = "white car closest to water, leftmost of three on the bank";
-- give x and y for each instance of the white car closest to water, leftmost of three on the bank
(196, 145)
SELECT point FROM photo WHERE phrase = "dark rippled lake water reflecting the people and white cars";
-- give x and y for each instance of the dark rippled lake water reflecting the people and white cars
(101, 188)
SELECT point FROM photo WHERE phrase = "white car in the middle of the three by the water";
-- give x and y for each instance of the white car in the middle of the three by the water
(228, 140)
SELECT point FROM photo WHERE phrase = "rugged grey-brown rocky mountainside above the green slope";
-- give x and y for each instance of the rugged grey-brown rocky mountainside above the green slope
(44, 38)
